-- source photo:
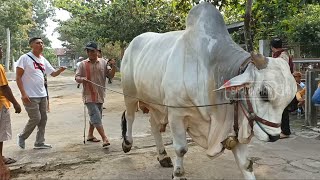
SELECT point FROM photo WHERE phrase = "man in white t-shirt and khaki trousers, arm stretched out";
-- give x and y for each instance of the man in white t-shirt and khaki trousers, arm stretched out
(30, 71)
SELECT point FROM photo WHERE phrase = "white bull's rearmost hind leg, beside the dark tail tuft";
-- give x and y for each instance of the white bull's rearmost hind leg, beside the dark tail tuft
(127, 122)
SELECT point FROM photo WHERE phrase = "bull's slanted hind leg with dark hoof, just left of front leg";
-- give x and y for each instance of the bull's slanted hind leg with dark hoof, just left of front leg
(163, 158)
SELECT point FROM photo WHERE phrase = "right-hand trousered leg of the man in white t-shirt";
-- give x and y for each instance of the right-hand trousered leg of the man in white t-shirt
(43, 121)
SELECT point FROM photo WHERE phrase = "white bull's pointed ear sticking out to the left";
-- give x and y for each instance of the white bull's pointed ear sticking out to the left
(240, 81)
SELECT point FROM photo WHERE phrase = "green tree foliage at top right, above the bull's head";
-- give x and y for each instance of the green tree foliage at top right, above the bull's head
(270, 18)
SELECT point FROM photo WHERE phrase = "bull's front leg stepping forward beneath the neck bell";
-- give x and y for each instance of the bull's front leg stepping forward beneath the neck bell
(240, 153)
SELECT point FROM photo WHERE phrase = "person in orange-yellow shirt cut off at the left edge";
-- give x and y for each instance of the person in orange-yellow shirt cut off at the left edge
(6, 97)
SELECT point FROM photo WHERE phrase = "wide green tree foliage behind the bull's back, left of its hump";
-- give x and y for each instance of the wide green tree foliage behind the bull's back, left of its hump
(119, 21)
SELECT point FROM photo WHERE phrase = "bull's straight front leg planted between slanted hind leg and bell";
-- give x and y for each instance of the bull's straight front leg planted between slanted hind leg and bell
(178, 131)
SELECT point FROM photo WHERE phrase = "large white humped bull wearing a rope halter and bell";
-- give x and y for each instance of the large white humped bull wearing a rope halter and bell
(177, 74)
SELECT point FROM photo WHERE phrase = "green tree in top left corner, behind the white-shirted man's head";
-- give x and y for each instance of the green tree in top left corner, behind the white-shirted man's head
(24, 18)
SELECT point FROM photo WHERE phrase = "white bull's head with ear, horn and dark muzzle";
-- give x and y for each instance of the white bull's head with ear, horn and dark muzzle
(271, 88)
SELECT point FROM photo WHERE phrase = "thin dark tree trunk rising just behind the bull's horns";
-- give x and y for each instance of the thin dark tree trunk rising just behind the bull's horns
(247, 28)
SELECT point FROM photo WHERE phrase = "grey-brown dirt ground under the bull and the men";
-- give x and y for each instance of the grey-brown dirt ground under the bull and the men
(297, 157)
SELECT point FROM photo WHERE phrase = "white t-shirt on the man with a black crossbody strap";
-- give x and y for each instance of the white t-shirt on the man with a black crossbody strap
(32, 78)
